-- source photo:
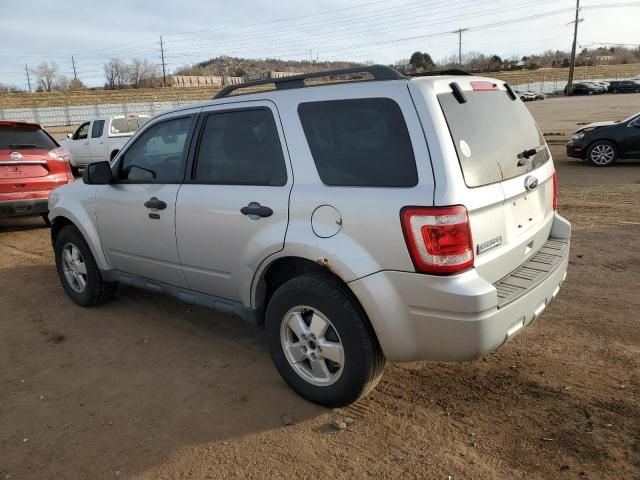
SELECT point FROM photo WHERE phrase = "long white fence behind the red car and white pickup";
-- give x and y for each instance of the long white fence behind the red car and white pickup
(73, 115)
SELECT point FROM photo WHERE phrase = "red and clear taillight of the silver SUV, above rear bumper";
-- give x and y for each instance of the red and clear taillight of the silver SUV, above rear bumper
(438, 238)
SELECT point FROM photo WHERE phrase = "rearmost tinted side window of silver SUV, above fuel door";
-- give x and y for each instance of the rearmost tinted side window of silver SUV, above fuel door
(360, 142)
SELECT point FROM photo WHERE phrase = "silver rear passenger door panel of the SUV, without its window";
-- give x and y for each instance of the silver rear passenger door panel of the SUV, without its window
(219, 247)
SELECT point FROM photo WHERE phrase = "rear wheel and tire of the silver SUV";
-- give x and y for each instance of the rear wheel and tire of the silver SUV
(321, 341)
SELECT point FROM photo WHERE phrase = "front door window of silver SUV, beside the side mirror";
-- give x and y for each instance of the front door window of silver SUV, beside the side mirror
(157, 155)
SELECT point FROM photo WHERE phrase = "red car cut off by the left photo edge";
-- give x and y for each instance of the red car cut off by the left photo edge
(31, 165)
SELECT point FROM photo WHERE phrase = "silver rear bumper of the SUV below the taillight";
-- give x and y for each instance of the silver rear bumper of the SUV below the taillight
(457, 318)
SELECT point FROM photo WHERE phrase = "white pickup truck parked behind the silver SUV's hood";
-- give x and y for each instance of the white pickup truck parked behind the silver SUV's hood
(100, 139)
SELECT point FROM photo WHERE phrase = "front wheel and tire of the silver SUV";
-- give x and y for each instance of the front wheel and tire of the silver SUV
(78, 271)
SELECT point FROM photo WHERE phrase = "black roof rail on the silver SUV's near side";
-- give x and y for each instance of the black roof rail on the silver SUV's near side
(379, 72)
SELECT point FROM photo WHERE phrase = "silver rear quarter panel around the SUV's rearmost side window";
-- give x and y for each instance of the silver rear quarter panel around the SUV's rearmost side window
(370, 236)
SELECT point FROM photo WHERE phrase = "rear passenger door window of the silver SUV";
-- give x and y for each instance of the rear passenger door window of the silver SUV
(241, 148)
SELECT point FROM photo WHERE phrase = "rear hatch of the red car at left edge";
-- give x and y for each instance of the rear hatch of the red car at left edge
(25, 161)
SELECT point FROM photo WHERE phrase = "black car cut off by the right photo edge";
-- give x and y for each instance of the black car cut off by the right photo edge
(602, 143)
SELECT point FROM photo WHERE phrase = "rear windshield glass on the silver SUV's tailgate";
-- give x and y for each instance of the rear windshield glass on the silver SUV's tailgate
(490, 132)
